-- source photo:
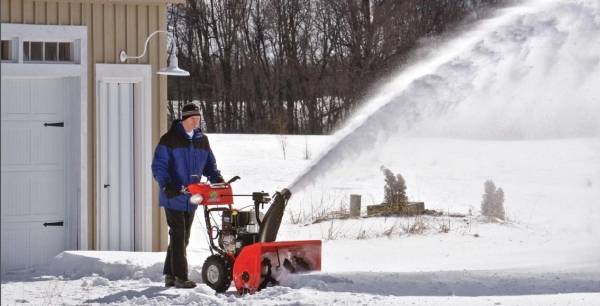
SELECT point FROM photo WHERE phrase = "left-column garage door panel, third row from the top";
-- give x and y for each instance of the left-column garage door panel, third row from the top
(16, 196)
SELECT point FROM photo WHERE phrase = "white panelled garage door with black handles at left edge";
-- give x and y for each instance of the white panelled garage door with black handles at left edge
(34, 191)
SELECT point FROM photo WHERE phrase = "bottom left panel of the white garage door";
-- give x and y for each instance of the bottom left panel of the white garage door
(15, 240)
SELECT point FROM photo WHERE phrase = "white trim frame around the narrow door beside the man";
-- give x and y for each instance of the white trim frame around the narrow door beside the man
(141, 77)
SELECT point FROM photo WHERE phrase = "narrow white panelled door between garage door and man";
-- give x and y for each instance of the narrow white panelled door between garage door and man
(115, 230)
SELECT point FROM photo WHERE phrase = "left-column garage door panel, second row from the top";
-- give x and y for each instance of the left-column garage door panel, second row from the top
(16, 145)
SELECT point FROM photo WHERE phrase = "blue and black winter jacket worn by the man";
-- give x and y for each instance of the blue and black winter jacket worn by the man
(179, 161)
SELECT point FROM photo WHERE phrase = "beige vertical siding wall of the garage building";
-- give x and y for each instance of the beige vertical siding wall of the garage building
(113, 25)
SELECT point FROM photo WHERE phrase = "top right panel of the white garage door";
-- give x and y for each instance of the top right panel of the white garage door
(48, 96)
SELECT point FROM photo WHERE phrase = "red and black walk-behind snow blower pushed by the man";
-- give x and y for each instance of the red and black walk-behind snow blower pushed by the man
(243, 245)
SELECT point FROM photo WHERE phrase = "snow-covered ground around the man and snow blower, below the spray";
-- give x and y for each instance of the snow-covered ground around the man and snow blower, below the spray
(547, 254)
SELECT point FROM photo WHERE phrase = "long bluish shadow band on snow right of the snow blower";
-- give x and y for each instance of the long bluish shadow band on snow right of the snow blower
(445, 283)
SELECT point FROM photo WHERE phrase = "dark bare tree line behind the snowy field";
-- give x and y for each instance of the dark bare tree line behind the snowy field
(295, 66)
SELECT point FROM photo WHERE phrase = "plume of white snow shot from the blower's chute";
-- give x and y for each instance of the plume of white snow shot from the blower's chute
(530, 72)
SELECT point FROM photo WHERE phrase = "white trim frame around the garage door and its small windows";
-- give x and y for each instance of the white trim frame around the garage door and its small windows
(77, 214)
